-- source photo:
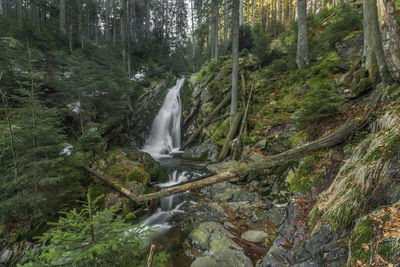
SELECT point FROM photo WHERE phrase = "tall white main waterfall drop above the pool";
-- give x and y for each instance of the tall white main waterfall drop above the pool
(165, 134)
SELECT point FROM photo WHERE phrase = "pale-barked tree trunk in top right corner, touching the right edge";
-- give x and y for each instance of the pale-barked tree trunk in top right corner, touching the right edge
(390, 37)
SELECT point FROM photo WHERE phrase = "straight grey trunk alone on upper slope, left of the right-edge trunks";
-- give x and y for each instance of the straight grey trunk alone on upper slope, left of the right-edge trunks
(302, 56)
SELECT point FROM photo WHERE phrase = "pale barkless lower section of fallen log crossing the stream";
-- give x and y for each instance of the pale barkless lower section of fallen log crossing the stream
(189, 186)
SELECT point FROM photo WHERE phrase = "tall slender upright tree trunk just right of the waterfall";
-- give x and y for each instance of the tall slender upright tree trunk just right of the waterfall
(235, 59)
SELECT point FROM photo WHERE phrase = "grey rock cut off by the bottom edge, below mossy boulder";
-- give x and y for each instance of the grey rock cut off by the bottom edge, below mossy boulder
(224, 258)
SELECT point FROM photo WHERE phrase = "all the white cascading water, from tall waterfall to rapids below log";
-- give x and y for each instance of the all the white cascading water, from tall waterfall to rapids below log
(164, 141)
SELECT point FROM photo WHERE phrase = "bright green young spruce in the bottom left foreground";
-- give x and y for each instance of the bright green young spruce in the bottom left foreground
(94, 238)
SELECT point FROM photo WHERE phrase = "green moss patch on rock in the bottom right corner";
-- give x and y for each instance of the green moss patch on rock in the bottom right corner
(364, 234)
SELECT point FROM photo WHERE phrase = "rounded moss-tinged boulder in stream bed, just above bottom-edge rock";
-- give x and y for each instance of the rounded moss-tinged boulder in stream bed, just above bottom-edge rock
(213, 237)
